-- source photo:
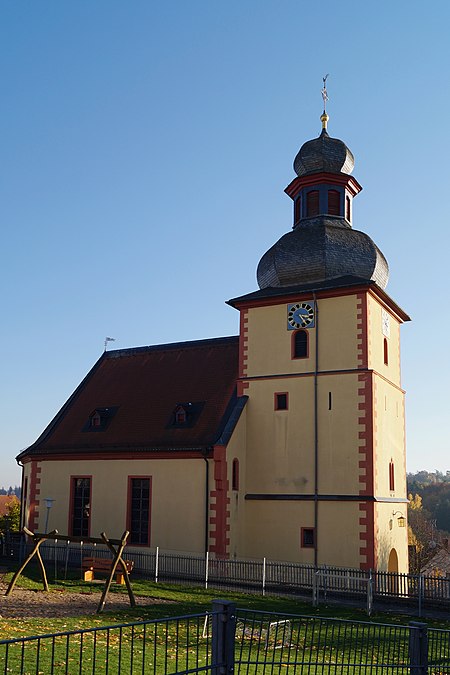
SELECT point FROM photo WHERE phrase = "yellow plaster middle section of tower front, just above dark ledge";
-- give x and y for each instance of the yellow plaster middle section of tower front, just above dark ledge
(280, 443)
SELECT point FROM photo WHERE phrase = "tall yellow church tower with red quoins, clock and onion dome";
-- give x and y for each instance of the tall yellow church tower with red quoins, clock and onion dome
(325, 474)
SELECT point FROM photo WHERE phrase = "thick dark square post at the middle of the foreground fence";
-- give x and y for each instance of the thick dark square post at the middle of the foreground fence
(223, 637)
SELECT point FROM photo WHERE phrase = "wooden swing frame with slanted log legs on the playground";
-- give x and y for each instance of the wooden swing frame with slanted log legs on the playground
(116, 547)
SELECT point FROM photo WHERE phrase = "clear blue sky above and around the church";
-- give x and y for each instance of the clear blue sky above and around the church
(144, 149)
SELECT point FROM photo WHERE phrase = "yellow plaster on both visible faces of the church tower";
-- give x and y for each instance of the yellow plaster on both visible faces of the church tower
(280, 444)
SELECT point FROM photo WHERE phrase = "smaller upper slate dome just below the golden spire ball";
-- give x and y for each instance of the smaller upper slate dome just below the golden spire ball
(324, 154)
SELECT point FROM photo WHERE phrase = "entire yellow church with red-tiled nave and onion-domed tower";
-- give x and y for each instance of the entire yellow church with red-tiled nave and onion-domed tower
(285, 442)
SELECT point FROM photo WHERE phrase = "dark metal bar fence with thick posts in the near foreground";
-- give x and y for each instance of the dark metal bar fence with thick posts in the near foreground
(229, 640)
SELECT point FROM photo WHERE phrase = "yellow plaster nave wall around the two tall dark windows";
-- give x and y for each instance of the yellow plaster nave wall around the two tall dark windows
(177, 506)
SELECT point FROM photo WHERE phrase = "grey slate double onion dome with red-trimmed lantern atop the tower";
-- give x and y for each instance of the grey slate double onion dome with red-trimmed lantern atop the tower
(323, 245)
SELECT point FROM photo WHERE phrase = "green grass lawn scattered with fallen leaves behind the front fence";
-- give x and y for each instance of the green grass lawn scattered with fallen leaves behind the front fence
(171, 647)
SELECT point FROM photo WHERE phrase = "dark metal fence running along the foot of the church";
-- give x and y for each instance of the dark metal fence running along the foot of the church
(263, 576)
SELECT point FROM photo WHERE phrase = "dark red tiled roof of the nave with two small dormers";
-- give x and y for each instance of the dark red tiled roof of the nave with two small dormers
(146, 384)
